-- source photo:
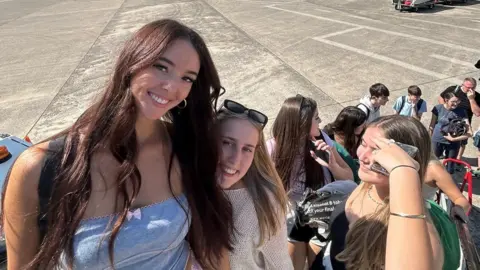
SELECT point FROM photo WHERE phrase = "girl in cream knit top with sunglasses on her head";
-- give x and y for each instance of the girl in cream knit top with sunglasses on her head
(252, 184)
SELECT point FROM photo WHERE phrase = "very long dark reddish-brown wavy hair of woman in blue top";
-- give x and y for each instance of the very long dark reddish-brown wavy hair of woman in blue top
(110, 123)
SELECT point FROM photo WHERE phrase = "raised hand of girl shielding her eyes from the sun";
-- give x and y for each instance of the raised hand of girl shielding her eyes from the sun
(391, 156)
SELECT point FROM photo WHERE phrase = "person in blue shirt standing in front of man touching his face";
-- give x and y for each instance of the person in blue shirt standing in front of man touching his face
(446, 145)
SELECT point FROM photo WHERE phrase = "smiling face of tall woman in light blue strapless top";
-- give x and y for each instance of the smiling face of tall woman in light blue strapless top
(159, 88)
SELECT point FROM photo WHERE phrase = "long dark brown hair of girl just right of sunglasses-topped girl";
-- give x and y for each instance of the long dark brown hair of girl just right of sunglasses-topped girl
(291, 131)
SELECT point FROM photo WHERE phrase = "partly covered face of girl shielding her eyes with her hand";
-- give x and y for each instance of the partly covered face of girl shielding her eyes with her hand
(365, 157)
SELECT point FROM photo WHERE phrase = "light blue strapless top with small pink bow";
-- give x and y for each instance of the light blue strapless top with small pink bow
(155, 239)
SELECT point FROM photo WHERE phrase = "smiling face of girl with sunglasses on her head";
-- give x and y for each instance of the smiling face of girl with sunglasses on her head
(238, 140)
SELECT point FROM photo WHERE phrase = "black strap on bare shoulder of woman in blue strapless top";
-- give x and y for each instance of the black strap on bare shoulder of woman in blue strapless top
(45, 183)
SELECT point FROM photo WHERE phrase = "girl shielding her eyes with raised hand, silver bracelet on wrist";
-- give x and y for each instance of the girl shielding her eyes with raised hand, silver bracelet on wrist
(385, 223)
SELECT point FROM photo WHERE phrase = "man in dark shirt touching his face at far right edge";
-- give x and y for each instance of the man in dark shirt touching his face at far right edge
(469, 100)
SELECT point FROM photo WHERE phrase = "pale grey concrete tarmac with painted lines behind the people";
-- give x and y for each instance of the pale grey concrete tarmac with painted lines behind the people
(56, 56)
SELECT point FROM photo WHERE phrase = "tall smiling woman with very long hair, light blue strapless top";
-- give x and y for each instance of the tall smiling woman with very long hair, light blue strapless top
(134, 186)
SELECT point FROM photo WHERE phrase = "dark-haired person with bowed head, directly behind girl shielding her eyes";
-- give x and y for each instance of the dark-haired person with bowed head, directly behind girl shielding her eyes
(346, 131)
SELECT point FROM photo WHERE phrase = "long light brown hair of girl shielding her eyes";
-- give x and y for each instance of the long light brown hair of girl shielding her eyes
(366, 242)
